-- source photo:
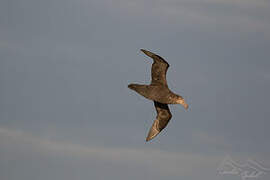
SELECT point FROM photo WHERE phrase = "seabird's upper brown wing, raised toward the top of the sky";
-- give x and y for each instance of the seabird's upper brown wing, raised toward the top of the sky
(159, 69)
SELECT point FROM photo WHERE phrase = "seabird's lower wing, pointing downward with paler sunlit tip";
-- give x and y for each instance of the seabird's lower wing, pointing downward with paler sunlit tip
(163, 117)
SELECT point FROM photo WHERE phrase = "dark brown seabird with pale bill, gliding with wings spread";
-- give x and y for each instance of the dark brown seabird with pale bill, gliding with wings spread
(159, 92)
